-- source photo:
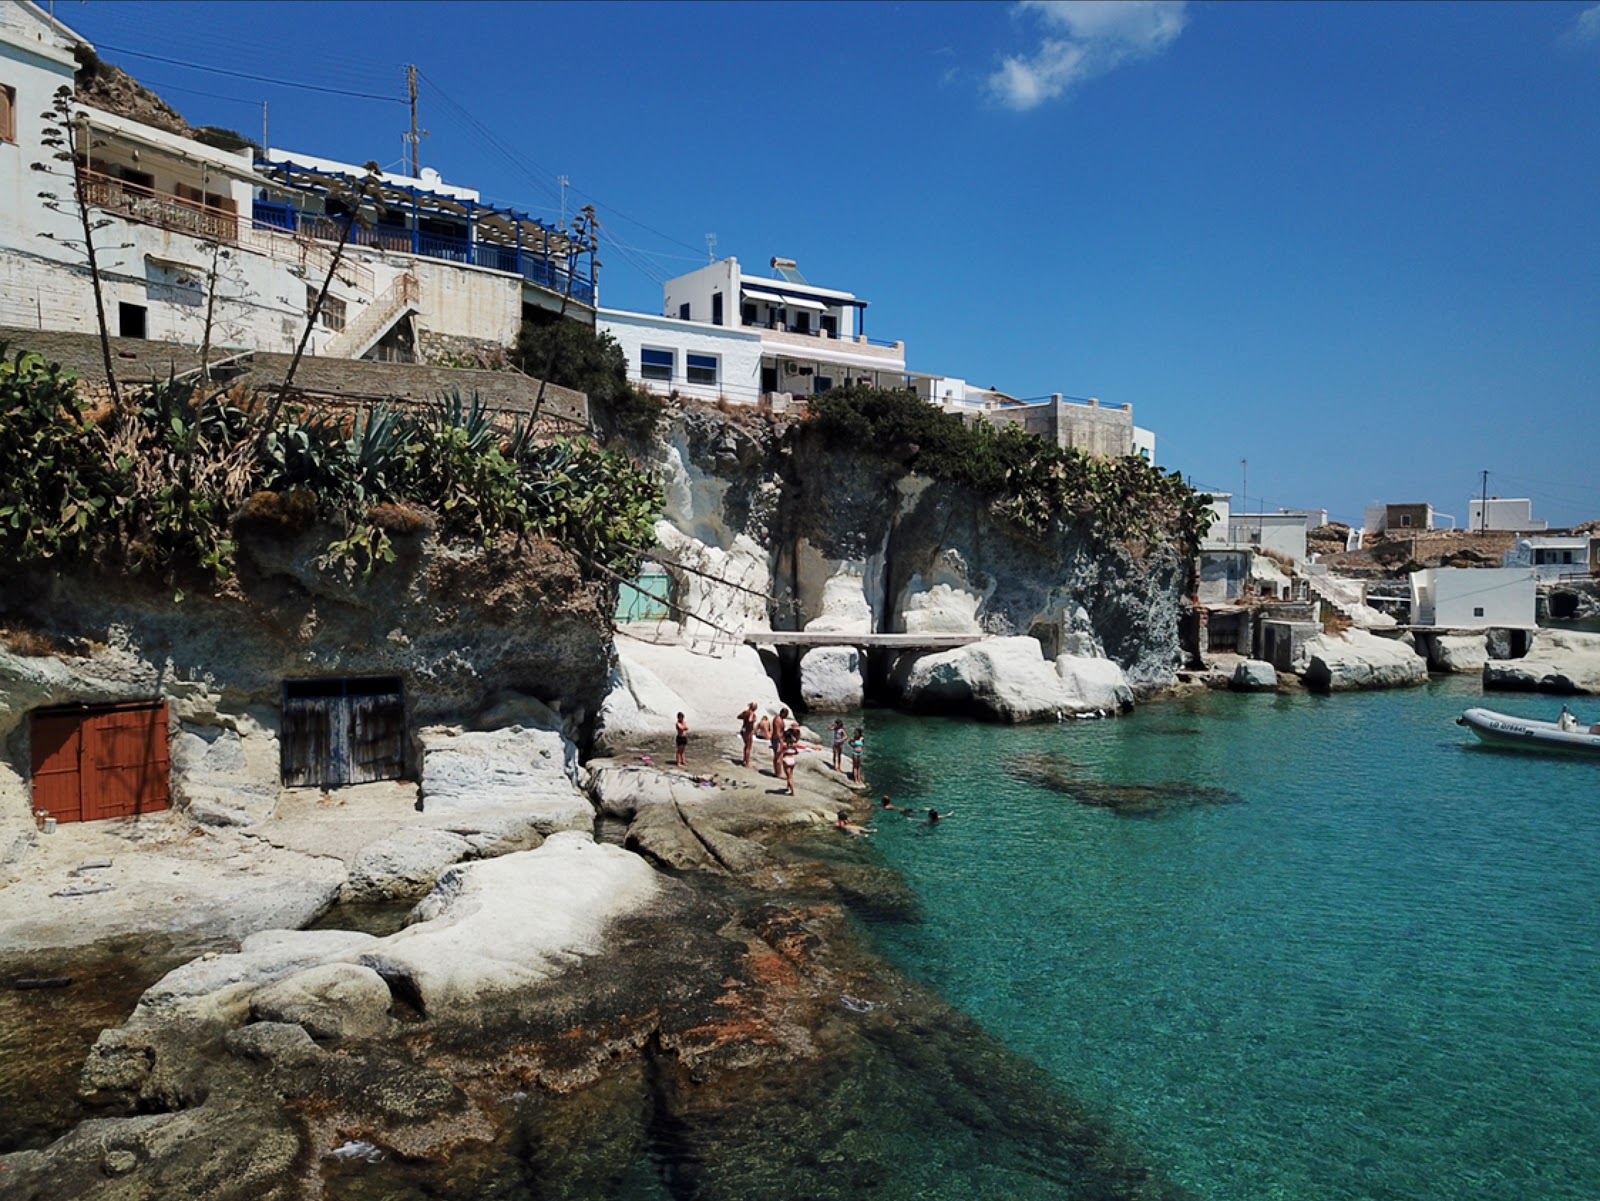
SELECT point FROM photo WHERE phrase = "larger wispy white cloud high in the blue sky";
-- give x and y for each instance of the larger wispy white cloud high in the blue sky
(1084, 39)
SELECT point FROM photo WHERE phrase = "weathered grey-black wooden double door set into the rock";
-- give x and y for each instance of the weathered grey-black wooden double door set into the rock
(343, 732)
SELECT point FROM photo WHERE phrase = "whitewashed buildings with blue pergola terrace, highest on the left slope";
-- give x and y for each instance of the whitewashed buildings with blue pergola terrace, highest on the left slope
(431, 269)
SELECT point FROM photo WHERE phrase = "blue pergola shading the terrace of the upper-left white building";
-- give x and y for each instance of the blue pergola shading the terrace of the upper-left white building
(414, 220)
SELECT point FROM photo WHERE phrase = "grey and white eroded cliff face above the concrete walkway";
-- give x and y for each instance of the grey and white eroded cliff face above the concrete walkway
(855, 543)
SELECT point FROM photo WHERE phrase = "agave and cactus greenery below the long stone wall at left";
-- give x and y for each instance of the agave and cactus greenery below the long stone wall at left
(167, 481)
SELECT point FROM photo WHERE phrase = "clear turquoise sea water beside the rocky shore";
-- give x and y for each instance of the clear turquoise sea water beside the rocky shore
(1364, 965)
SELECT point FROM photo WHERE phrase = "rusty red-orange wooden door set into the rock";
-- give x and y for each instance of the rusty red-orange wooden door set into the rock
(102, 762)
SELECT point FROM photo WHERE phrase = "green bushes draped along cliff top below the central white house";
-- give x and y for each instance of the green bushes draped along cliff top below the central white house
(1030, 481)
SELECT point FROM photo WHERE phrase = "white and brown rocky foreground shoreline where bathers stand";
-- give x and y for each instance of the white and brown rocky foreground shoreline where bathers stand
(548, 1015)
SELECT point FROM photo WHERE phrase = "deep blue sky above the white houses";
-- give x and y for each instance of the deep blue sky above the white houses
(1354, 245)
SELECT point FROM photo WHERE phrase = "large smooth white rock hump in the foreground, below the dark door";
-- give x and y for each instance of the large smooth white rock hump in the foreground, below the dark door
(497, 927)
